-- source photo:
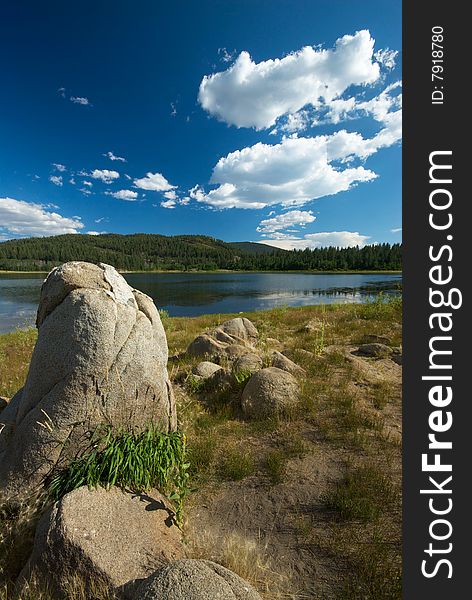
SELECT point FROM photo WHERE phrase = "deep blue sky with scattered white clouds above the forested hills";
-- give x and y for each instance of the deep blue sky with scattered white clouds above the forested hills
(275, 121)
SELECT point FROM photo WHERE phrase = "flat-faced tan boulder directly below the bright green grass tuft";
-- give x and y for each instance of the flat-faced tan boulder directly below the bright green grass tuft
(107, 535)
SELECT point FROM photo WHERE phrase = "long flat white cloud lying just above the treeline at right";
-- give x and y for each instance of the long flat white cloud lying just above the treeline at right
(342, 239)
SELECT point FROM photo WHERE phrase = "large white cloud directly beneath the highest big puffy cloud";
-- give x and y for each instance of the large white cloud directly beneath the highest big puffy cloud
(291, 173)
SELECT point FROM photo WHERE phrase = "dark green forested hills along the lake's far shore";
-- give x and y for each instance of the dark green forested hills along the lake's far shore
(148, 252)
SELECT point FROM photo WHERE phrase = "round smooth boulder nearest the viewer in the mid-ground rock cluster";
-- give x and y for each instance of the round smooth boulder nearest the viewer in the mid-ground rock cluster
(269, 392)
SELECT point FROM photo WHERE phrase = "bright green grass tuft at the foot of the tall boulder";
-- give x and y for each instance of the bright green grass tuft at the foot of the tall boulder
(130, 460)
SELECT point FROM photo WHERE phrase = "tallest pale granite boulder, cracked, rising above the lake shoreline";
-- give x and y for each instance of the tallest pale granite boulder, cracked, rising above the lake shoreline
(101, 357)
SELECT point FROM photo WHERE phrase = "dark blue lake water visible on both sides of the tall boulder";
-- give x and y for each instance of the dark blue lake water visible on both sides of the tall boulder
(191, 294)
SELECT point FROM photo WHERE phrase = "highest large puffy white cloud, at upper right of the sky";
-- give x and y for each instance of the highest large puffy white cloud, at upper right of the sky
(250, 94)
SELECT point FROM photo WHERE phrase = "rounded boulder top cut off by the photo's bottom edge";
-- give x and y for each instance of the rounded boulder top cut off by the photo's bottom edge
(195, 580)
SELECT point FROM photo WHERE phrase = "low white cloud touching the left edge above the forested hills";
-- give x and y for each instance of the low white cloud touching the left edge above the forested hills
(20, 218)
